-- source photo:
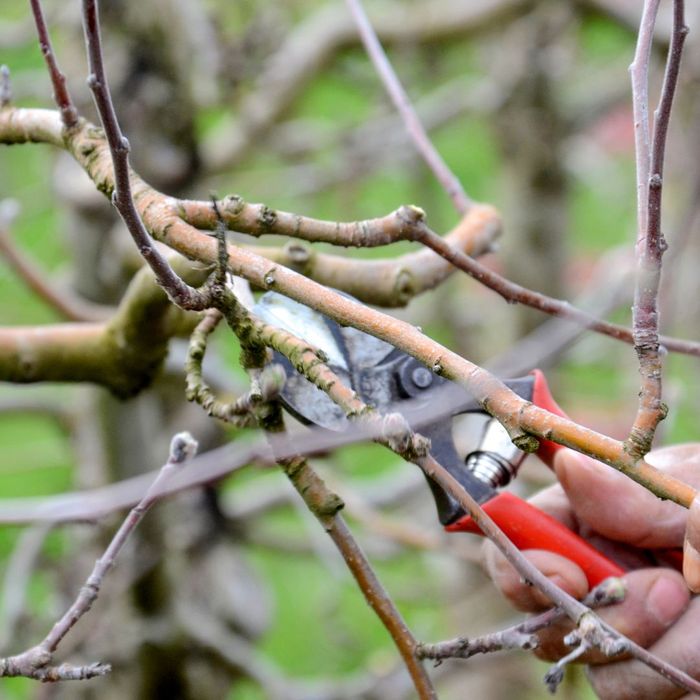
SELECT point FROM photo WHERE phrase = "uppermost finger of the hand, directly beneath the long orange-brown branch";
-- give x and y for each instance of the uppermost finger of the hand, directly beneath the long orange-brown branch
(620, 509)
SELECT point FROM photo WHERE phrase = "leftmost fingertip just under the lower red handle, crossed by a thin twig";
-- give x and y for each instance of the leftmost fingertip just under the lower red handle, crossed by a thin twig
(561, 571)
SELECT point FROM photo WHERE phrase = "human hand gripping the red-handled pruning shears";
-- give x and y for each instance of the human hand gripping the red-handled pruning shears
(627, 523)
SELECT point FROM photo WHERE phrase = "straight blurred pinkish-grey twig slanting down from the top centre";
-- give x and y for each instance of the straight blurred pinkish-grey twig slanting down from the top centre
(434, 160)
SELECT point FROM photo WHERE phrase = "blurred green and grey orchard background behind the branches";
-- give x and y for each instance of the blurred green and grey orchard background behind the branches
(529, 104)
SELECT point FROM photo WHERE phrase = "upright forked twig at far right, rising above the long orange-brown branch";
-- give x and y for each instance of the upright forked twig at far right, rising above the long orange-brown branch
(651, 243)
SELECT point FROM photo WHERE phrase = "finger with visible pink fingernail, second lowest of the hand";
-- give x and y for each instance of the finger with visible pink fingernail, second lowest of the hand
(655, 599)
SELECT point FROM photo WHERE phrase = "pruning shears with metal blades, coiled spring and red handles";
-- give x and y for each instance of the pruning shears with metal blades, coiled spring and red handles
(389, 379)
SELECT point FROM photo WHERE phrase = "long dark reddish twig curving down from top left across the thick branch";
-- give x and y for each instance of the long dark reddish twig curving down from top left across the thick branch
(182, 294)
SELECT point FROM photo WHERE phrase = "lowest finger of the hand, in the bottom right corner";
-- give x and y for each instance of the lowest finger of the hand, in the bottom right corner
(627, 680)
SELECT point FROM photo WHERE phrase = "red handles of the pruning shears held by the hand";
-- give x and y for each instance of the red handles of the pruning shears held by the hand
(528, 527)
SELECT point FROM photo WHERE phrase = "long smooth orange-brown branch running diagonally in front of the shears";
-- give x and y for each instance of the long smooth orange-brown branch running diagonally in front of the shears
(524, 421)
